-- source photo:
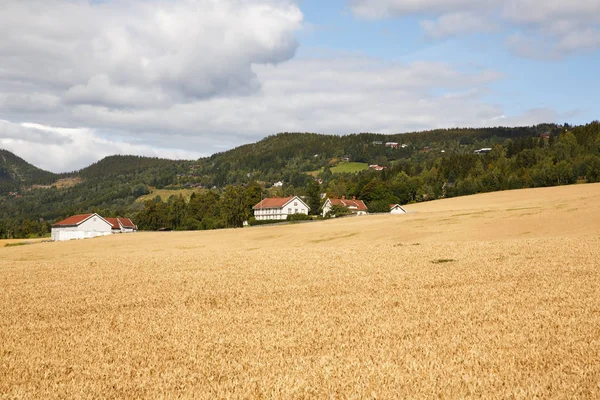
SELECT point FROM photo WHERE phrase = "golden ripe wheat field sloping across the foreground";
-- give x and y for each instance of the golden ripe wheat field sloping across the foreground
(493, 296)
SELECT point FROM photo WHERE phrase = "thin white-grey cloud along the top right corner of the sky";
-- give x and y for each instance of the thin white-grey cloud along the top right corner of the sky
(556, 27)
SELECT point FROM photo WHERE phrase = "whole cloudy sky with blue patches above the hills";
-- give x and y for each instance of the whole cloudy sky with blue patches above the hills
(82, 79)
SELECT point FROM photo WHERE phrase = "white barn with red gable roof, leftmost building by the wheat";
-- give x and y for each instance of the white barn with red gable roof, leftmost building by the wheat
(81, 227)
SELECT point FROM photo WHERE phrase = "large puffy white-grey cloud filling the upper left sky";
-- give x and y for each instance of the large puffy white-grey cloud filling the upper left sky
(120, 53)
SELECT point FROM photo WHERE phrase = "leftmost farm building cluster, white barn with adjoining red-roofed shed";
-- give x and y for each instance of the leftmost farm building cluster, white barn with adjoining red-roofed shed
(88, 226)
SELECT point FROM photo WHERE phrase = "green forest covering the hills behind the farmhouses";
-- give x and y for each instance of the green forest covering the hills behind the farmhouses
(425, 166)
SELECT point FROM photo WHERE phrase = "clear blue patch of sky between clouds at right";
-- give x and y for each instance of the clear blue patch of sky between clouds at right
(569, 85)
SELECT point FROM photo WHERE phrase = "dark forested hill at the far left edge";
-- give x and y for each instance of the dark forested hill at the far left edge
(16, 173)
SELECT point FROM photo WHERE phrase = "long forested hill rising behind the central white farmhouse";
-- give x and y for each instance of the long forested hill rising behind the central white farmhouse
(285, 155)
